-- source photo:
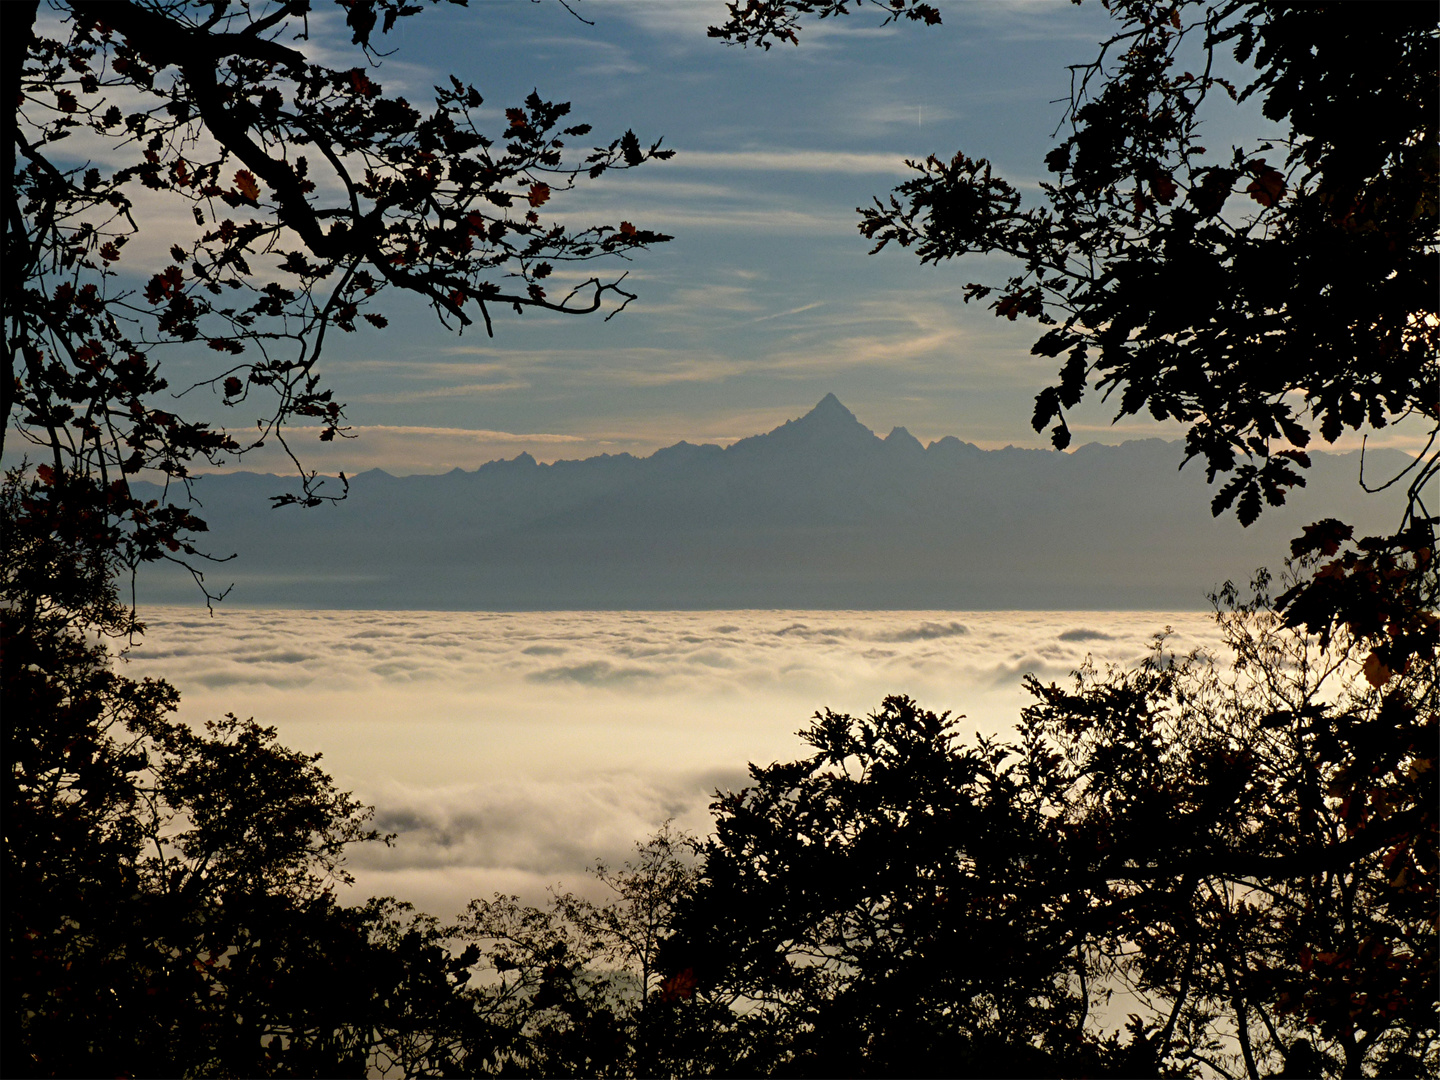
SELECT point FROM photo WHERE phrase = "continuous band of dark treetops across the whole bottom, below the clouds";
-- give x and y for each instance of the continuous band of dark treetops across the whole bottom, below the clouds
(1202, 866)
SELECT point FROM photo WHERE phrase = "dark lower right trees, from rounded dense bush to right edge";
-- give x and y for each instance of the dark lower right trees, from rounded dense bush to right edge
(1232, 853)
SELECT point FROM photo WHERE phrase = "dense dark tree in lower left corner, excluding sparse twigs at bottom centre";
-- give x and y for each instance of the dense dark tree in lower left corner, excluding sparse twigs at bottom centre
(169, 895)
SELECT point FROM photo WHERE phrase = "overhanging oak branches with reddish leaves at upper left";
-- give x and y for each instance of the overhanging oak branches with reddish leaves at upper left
(294, 197)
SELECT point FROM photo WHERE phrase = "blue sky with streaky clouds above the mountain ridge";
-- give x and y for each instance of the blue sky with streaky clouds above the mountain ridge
(767, 299)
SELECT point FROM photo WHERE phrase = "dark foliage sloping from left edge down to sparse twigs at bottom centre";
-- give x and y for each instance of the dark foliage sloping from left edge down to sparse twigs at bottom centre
(171, 895)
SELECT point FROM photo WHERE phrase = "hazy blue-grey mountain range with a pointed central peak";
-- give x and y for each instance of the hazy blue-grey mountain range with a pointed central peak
(817, 513)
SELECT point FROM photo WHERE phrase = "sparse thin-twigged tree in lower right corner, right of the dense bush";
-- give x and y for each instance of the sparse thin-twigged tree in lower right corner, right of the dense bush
(1268, 839)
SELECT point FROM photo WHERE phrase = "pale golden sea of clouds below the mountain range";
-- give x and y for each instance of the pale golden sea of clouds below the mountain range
(510, 751)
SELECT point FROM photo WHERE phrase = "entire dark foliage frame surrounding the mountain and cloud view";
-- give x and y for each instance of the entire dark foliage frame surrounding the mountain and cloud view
(1242, 852)
